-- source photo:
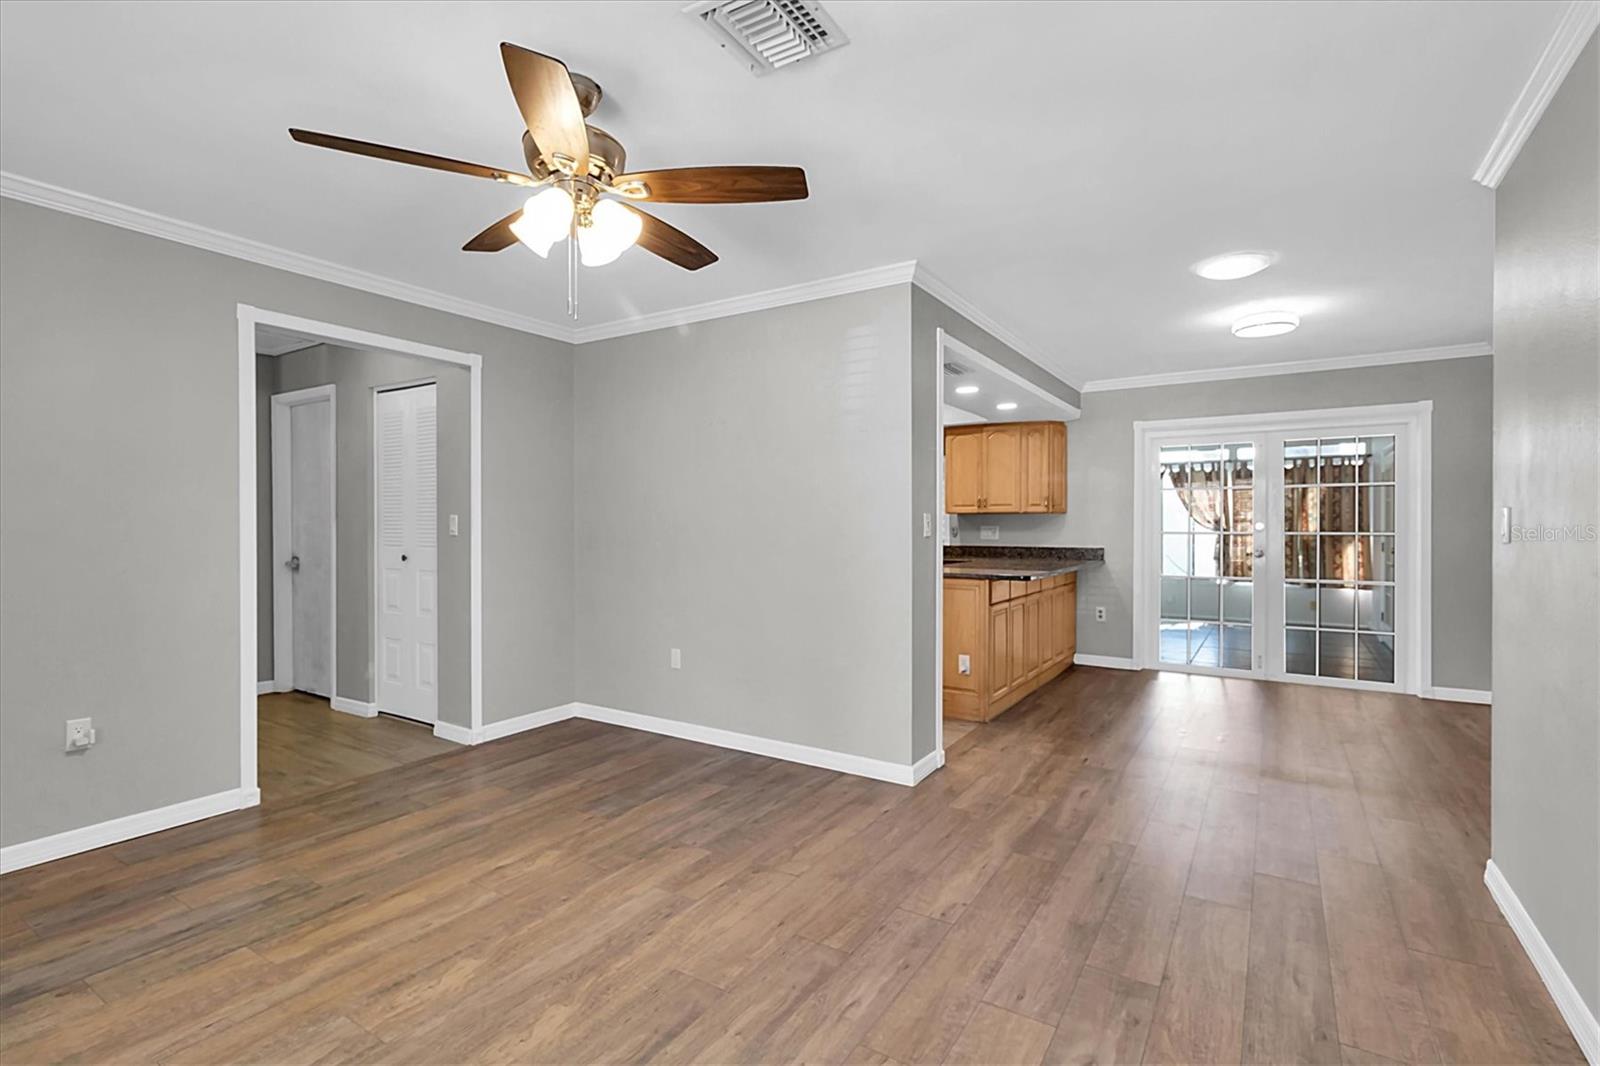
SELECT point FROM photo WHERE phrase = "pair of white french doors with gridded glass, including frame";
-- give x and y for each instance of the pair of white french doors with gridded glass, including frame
(1287, 548)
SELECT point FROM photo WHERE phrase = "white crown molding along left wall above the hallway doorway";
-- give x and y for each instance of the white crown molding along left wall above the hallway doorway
(138, 220)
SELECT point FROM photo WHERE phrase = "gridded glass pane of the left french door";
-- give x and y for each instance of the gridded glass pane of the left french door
(1207, 566)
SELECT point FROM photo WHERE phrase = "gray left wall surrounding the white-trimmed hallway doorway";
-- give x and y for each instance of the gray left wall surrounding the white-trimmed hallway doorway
(119, 537)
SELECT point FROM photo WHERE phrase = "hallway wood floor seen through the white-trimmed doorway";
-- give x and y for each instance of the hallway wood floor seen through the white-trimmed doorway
(306, 747)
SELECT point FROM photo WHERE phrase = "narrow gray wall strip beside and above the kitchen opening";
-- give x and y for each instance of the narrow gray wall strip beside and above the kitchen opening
(929, 316)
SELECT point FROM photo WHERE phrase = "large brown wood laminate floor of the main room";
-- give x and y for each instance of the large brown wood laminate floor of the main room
(1124, 868)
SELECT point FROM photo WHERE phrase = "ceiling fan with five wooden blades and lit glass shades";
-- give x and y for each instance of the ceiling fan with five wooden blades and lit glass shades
(585, 193)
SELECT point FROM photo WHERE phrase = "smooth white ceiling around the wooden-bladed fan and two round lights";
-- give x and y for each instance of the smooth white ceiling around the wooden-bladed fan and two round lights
(1057, 166)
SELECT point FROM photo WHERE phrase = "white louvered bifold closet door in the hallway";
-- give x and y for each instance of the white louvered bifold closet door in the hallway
(406, 665)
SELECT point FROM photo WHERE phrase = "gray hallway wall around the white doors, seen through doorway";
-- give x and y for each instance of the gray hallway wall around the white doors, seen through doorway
(356, 374)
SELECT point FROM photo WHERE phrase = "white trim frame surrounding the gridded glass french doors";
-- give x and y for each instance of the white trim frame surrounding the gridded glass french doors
(1418, 467)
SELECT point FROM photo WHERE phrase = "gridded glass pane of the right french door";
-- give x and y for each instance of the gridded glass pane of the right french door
(1340, 558)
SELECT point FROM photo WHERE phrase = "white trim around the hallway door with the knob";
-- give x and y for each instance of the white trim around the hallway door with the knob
(282, 585)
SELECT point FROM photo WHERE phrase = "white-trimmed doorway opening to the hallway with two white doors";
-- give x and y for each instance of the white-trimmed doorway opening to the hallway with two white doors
(361, 545)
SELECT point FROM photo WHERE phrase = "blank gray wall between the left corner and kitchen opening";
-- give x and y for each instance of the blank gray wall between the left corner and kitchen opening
(716, 462)
